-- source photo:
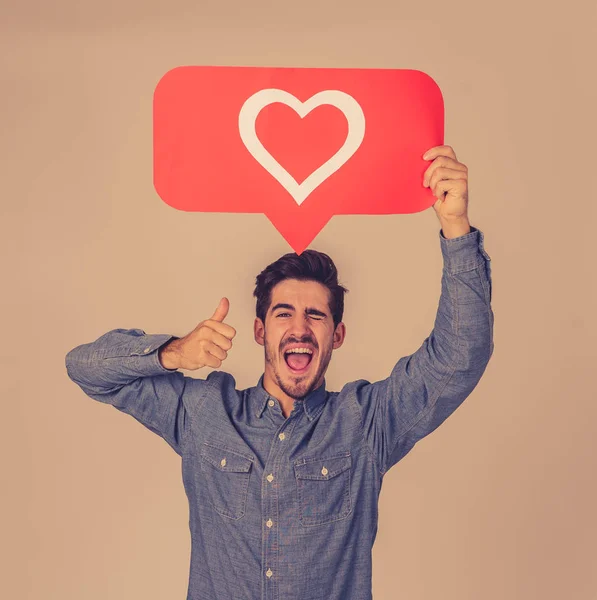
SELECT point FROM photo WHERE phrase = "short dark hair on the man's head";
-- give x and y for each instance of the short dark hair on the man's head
(310, 265)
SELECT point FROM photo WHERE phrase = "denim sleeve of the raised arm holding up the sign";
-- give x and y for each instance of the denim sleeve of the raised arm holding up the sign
(426, 387)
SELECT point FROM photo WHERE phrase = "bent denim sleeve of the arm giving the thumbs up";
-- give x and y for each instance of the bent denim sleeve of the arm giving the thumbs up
(122, 368)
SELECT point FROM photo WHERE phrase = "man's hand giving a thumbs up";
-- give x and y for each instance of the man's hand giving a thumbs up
(206, 346)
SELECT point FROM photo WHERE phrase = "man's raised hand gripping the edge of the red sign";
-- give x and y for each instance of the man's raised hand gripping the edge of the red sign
(448, 180)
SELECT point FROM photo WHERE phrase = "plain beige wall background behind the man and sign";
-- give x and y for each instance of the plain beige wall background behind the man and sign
(499, 503)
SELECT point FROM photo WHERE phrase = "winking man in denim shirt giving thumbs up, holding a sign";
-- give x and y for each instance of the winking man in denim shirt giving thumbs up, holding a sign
(283, 478)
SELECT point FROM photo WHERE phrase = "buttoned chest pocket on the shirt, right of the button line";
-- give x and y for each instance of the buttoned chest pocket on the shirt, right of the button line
(323, 488)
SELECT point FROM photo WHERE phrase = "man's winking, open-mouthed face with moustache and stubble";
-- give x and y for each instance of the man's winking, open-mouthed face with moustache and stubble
(298, 317)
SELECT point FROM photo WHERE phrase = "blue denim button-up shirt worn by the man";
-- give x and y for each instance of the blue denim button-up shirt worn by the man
(287, 508)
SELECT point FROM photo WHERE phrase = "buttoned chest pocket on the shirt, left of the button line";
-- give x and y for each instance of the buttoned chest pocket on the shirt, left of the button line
(227, 474)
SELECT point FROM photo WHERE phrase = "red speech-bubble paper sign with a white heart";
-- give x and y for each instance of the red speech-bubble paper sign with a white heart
(299, 145)
